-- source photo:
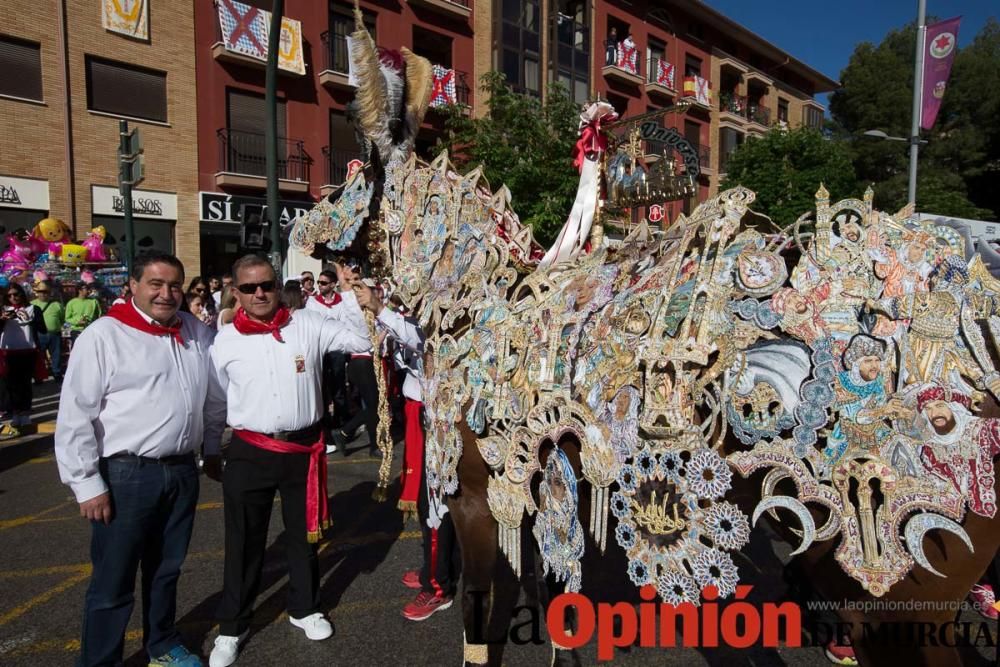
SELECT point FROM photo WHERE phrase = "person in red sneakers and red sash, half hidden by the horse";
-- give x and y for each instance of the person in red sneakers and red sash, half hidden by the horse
(437, 579)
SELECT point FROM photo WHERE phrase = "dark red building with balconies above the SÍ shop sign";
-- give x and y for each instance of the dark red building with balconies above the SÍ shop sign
(316, 141)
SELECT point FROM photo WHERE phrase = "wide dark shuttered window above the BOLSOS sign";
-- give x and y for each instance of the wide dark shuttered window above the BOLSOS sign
(126, 90)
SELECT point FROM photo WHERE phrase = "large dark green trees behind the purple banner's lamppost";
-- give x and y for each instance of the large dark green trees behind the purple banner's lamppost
(962, 156)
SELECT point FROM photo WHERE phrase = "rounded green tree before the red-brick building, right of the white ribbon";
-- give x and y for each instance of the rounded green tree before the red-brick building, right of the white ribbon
(785, 168)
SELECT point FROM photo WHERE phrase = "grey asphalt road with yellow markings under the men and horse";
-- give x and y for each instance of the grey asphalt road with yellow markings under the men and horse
(44, 571)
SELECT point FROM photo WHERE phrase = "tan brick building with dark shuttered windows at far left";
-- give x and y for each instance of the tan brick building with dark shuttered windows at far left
(59, 140)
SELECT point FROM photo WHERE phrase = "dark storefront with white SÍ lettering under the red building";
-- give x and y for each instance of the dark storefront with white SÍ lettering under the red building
(220, 227)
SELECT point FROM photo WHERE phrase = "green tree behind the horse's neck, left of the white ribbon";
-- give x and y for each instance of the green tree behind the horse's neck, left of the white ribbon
(525, 144)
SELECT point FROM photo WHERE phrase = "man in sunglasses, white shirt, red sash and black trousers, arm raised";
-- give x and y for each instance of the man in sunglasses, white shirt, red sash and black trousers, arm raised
(269, 363)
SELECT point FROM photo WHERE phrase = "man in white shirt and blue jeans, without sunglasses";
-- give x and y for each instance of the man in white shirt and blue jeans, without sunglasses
(125, 443)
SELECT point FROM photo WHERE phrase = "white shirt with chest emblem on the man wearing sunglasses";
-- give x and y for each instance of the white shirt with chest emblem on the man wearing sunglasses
(276, 386)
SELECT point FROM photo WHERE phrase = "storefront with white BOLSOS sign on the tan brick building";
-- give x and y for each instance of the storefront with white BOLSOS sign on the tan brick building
(154, 216)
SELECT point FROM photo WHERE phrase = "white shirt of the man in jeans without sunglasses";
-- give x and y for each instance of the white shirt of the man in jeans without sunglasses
(129, 391)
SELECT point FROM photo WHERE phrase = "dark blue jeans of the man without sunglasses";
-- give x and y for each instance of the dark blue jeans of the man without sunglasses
(154, 505)
